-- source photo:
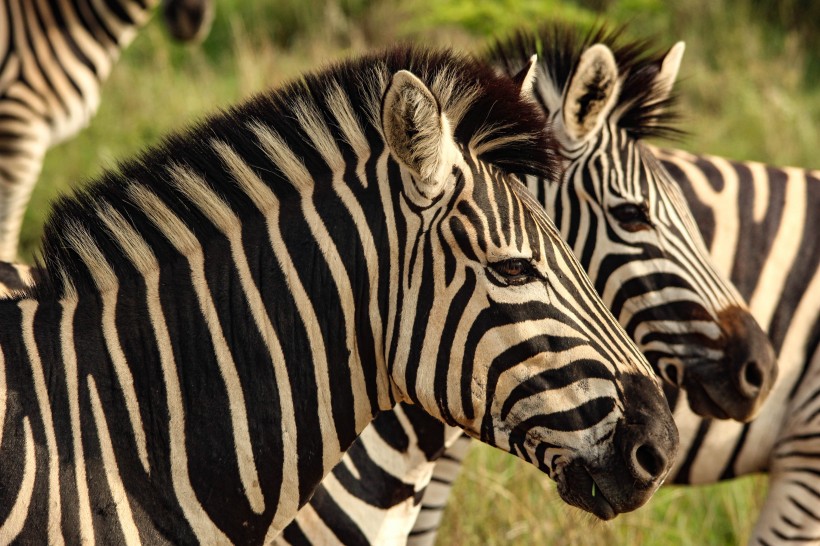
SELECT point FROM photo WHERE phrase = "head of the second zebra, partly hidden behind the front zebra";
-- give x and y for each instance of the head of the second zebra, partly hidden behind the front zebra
(628, 223)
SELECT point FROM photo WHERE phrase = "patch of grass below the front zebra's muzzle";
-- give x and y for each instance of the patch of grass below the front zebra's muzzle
(499, 501)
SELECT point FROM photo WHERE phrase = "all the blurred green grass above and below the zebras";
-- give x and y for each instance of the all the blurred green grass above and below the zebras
(750, 89)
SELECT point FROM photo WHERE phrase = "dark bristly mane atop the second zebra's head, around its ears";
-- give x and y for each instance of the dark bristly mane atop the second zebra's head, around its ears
(642, 110)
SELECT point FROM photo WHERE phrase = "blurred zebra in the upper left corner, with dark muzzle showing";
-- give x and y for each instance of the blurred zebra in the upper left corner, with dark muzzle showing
(54, 57)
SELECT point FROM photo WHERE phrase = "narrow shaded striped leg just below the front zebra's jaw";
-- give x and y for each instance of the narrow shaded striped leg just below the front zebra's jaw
(434, 500)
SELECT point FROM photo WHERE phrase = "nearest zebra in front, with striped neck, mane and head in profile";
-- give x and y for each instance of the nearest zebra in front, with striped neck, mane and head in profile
(219, 318)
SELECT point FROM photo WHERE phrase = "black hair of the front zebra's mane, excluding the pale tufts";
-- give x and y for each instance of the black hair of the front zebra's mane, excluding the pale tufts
(485, 109)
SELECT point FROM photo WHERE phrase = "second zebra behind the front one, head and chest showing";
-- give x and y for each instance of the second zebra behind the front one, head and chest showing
(639, 196)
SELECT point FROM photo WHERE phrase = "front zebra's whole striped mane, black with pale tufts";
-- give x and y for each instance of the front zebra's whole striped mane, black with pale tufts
(325, 119)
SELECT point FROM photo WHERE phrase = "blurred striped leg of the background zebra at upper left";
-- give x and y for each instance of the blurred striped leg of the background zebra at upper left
(21, 160)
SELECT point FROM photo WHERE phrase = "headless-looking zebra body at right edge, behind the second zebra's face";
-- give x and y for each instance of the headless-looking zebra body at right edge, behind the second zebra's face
(756, 220)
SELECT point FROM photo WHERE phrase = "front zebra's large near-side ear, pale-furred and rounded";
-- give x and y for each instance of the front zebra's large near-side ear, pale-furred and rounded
(418, 133)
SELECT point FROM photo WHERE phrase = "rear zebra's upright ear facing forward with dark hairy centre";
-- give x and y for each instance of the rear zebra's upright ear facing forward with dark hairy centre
(591, 92)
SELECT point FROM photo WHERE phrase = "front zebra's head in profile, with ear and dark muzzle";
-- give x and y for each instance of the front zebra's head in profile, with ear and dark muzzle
(496, 327)
